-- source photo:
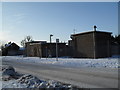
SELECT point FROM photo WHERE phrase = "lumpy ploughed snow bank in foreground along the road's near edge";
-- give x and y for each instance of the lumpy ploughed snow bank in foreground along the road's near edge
(11, 79)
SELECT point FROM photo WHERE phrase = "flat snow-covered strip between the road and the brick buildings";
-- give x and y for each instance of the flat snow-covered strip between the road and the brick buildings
(70, 62)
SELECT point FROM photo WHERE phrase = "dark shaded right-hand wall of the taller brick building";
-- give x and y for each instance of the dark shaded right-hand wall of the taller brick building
(103, 44)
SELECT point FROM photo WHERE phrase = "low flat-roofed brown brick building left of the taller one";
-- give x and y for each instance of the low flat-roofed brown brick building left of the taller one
(44, 49)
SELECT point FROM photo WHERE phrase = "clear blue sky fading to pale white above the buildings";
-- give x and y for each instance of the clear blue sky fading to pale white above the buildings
(40, 19)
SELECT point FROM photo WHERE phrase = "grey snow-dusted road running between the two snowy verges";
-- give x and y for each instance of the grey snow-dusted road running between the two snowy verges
(82, 77)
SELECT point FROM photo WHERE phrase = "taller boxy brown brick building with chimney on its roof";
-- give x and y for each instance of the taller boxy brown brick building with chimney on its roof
(92, 44)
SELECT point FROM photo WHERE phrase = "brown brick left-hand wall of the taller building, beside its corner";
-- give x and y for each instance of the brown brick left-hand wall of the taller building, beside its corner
(83, 45)
